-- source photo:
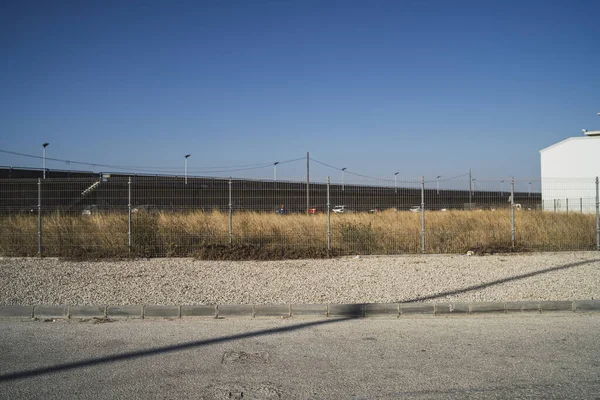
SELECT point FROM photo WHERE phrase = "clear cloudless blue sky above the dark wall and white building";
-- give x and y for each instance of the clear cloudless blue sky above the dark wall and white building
(420, 87)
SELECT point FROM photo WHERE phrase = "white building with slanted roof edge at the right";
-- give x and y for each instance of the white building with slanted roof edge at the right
(569, 170)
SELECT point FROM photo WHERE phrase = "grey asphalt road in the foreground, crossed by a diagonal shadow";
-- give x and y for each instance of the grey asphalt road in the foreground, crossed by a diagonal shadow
(554, 356)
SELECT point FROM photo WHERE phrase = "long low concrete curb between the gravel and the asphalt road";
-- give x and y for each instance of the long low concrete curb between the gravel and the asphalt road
(372, 310)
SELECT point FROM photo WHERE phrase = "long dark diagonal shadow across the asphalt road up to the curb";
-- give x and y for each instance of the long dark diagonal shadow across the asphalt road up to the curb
(161, 350)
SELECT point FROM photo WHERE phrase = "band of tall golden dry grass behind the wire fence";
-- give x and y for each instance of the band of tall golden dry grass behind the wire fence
(270, 235)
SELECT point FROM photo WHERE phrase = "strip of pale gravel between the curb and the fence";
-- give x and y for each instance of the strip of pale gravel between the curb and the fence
(342, 280)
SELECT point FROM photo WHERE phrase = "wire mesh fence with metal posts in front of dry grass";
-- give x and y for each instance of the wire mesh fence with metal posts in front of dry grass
(150, 216)
